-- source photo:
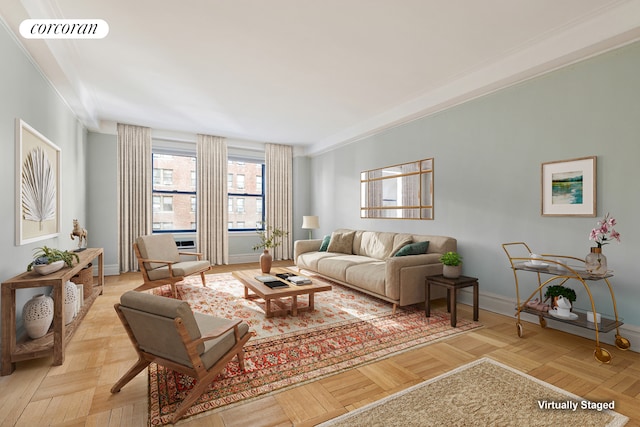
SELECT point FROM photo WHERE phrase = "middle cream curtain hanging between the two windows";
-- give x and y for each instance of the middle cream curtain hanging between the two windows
(213, 235)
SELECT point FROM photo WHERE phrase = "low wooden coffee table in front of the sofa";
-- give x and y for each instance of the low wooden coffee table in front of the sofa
(276, 296)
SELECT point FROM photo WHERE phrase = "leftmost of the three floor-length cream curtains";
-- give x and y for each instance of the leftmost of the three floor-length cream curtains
(134, 191)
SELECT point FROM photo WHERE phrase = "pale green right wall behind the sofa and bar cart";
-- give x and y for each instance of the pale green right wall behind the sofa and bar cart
(488, 155)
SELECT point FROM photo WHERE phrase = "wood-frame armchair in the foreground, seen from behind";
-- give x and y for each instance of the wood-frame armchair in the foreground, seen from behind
(166, 331)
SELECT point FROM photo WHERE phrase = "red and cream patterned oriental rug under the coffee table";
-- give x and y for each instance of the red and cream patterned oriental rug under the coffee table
(346, 329)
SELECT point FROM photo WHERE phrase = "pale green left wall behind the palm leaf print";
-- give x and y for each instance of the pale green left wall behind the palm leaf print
(26, 94)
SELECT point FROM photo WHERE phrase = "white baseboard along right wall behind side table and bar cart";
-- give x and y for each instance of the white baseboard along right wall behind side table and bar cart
(506, 306)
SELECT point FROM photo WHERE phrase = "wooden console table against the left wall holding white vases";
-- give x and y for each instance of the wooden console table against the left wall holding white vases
(54, 342)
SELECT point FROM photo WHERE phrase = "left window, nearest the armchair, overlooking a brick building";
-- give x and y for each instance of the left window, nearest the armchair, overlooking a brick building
(174, 192)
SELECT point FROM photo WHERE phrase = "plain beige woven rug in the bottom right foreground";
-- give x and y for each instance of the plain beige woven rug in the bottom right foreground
(482, 393)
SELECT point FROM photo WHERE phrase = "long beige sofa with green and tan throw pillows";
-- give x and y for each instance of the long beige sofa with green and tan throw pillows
(373, 262)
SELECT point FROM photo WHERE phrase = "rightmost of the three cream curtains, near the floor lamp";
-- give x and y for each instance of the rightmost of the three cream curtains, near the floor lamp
(279, 195)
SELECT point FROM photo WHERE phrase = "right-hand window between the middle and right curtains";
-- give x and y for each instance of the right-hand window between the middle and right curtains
(248, 196)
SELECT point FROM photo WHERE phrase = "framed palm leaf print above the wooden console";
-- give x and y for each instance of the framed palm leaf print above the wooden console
(37, 186)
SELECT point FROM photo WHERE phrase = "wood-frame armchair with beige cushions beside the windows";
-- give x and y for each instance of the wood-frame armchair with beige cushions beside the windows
(161, 264)
